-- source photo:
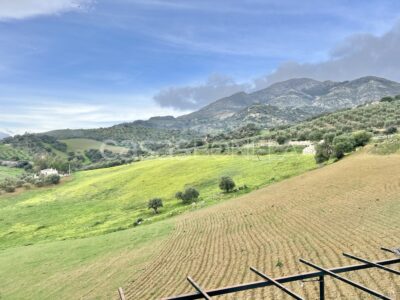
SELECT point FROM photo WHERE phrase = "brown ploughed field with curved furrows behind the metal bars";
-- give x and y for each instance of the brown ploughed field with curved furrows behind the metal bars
(351, 206)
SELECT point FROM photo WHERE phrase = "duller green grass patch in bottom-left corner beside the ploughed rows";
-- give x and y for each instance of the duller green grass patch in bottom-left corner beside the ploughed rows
(89, 268)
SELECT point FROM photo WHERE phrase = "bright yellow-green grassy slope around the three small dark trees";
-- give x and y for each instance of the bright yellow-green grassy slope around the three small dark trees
(107, 200)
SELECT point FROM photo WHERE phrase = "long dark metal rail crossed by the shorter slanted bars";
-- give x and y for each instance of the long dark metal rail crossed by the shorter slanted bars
(291, 278)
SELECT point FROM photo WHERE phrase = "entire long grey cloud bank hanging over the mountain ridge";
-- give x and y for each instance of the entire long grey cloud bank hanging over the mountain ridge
(357, 56)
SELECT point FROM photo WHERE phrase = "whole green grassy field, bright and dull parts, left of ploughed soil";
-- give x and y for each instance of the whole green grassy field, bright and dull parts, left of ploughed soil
(68, 241)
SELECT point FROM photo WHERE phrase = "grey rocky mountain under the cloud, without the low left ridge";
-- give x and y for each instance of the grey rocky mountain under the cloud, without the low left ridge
(281, 103)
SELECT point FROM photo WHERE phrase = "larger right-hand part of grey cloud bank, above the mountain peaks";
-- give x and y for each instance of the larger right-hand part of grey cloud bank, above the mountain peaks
(358, 55)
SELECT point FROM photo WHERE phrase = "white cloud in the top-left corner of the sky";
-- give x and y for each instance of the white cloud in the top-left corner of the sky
(21, 9)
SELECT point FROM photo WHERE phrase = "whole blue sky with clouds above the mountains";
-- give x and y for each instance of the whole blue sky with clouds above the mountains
(95, 63)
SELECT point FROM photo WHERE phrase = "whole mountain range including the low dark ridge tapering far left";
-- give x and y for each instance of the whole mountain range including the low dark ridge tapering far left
(281, 103)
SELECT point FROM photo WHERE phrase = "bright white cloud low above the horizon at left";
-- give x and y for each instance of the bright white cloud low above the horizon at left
(44, 114)
